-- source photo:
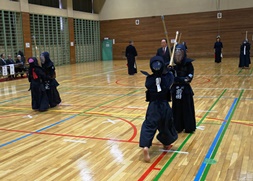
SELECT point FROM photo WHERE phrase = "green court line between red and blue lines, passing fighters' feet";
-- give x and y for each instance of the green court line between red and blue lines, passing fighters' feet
(186, 139)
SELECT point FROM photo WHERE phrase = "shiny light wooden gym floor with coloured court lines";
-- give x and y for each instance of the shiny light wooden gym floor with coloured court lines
(94, 134)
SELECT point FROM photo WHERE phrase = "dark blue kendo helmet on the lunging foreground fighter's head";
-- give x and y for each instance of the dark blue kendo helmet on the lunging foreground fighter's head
(157, 65)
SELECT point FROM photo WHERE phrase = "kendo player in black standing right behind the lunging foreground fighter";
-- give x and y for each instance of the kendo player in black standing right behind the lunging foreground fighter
(182, 93)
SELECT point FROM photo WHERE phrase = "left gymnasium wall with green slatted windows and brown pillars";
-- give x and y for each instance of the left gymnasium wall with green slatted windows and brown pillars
(46, 25)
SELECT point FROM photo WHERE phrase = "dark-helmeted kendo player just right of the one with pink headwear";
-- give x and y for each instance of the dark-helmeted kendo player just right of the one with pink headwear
(51, 84)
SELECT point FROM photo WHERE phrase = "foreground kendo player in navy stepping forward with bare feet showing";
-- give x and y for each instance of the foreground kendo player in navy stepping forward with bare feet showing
(159, 113)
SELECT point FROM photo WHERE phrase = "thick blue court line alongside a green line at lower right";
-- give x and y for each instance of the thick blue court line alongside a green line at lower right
(218, 136)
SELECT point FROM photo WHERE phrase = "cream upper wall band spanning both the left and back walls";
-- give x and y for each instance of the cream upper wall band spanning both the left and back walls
(120, 9)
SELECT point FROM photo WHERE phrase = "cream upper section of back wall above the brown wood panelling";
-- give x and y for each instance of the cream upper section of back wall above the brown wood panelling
(120, 9)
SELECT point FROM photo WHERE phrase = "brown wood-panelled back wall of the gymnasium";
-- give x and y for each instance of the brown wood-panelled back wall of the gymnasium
(198, 29)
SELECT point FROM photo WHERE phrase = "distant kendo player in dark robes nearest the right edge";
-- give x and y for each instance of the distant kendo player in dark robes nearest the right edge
(244, 54)
